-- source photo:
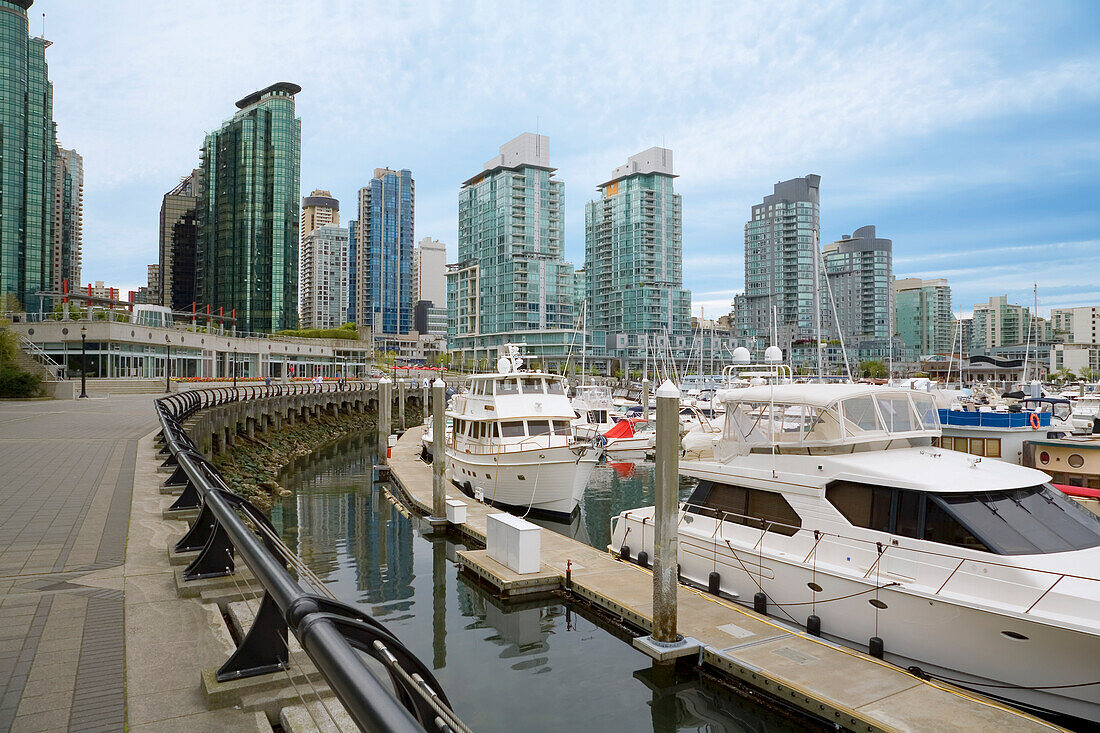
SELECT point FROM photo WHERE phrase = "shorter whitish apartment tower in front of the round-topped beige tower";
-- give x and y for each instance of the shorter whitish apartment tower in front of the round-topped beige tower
(325, 278)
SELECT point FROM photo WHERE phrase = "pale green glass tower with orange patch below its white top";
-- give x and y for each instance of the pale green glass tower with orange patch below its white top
(634, 259)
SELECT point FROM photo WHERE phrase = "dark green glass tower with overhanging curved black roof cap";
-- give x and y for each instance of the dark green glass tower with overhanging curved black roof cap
(248, 249)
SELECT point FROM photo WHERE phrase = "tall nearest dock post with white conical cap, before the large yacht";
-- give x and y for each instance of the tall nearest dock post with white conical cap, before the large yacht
(665, 646)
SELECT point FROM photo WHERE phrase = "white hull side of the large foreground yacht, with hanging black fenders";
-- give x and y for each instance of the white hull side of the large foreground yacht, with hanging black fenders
(941, 634)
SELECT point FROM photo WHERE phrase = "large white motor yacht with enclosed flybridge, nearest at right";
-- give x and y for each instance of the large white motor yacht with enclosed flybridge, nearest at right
(832, 501)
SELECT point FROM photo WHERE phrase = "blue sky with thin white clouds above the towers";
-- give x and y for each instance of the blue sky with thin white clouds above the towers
(969, 134)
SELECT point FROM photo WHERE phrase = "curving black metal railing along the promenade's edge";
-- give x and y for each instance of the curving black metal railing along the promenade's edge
(335, 636)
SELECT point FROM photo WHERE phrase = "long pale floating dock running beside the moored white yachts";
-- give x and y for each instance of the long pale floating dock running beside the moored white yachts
(831, 682)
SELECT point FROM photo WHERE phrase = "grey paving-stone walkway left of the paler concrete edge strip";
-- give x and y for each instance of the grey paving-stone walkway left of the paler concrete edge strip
(67, 477)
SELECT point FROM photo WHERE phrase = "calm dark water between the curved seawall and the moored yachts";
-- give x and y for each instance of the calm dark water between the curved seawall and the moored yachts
(534, 666)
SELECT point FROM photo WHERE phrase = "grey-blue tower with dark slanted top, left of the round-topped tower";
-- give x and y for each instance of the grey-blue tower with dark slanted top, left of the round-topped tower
(780, 243)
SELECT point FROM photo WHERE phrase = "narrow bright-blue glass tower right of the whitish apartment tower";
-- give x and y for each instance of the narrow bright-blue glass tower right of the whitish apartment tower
(384, 253)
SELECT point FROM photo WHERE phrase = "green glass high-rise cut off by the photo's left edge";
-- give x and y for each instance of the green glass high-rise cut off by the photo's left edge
(28, 139)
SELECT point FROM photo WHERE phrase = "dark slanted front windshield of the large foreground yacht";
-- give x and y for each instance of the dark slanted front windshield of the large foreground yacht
(1025, 521)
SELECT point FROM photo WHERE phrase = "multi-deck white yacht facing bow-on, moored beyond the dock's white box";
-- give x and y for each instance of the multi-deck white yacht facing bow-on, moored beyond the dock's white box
(512, 442)
